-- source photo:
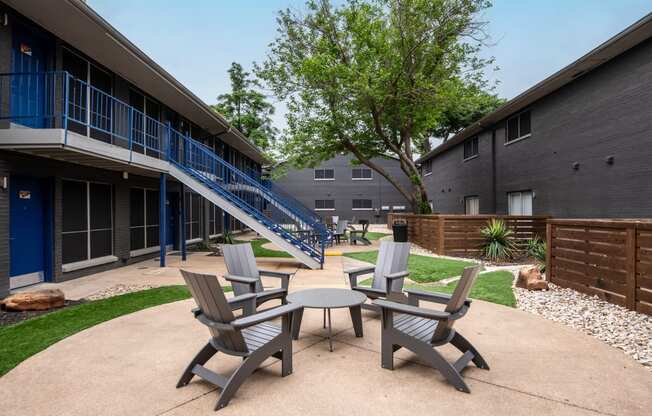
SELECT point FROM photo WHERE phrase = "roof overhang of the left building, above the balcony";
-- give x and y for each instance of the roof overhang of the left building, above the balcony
(79, 25)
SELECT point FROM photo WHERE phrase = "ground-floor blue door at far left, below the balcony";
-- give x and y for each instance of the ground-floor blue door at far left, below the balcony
(27, 230)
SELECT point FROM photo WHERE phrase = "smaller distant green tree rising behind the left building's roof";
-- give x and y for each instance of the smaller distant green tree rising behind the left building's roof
(247, 109)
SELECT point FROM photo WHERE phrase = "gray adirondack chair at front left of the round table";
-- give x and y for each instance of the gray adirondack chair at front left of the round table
(251, 337)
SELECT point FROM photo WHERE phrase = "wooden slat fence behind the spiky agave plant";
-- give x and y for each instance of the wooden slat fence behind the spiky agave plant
(459, 235)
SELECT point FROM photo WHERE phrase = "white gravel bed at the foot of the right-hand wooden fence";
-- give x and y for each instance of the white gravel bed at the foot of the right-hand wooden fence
(617, 326)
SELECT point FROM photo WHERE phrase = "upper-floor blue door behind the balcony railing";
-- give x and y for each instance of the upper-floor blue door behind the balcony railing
(30, 84)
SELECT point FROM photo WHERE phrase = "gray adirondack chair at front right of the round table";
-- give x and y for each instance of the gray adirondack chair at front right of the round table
(421, 330)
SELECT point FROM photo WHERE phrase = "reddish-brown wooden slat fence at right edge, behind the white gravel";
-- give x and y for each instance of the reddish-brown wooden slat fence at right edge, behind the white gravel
(608, 258)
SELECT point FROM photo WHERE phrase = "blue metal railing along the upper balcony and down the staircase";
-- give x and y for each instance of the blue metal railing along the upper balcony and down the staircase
(58, 100)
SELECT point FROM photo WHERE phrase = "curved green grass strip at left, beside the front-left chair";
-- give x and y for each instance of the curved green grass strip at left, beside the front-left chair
(24, 339)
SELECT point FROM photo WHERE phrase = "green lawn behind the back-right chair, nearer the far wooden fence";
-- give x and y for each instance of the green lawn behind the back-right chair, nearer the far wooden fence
(423, 269)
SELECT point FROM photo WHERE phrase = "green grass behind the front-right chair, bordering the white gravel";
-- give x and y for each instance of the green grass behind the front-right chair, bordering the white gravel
(495, 287)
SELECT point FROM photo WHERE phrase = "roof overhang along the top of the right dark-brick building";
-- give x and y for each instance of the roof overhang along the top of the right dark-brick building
(623, 41)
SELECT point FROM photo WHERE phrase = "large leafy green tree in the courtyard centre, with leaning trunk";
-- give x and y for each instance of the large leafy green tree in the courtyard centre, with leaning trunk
(370, 78)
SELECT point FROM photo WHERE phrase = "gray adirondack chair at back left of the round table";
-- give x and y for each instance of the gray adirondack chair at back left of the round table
(244, 275)
